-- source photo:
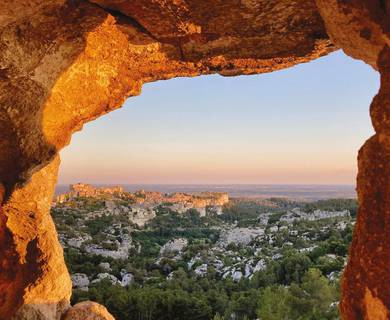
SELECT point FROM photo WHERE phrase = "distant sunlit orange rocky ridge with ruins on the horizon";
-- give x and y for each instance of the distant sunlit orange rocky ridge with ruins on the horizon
(139, 207)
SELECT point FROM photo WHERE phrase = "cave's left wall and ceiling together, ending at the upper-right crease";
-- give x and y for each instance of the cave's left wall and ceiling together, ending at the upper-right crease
(63, 63)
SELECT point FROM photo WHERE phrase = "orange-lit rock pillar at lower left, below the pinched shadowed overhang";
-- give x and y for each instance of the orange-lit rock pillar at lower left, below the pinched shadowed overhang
(33, 272)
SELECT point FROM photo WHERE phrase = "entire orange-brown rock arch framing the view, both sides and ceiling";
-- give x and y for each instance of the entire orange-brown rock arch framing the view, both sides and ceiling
(64, 63)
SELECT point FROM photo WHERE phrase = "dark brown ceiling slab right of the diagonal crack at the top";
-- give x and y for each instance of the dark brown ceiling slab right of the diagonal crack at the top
(234, 33)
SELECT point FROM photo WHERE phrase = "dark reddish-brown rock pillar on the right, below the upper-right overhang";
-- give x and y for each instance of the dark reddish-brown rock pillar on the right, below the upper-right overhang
(366, 285)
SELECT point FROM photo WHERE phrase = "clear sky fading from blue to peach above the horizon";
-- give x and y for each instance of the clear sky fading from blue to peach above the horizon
(302, 125)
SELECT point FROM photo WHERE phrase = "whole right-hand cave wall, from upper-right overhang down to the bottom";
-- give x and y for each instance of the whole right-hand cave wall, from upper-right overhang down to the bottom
(362, 29)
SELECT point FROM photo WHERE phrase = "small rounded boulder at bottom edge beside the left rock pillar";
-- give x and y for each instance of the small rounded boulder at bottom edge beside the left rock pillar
(88, 310)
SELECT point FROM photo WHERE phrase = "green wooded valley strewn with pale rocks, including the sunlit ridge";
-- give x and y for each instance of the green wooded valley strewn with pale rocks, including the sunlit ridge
(203, 255)
